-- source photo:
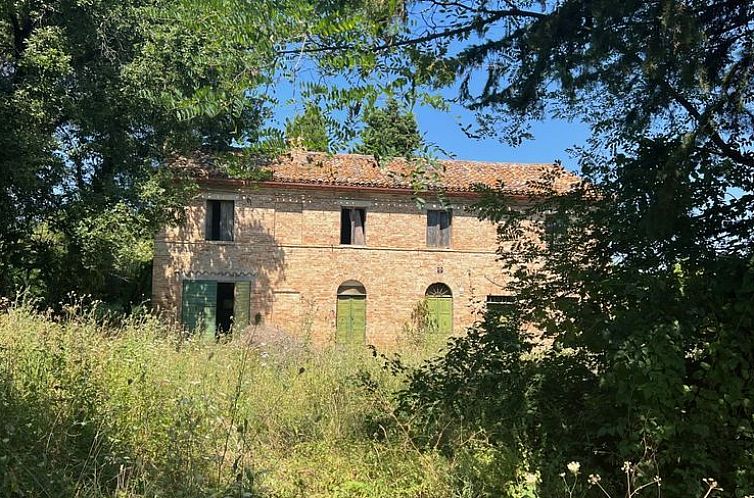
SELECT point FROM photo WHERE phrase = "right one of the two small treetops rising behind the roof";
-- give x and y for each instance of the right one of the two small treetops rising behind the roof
(388, 132)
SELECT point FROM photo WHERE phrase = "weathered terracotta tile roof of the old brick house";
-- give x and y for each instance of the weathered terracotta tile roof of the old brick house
(357, 170)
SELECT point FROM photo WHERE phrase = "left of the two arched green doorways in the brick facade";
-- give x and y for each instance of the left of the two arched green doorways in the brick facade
(351, 313)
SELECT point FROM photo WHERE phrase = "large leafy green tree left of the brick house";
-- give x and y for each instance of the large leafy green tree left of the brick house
(94, 98)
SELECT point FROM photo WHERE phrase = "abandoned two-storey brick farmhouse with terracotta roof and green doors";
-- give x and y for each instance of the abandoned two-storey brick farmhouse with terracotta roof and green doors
(338, 248)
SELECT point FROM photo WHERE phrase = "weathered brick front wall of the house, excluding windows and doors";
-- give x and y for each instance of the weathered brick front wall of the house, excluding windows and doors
(288, 241)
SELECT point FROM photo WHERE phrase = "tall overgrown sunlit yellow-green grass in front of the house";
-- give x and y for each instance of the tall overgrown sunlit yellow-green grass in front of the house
(95, 410)
